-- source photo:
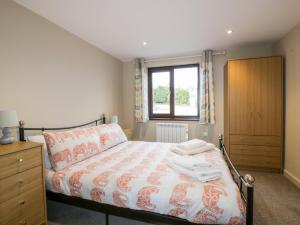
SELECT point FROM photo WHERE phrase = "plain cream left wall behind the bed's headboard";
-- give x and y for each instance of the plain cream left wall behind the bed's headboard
(51, 77)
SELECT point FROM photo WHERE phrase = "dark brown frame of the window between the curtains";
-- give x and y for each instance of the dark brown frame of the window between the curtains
(171, 115)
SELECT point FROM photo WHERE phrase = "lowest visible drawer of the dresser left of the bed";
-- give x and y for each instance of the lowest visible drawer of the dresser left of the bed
(26, 209)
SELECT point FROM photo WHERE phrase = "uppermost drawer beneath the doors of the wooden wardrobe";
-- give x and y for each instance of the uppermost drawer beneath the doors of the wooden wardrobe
(255, 140)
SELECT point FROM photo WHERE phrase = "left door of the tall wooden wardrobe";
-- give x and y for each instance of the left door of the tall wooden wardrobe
(240, 81)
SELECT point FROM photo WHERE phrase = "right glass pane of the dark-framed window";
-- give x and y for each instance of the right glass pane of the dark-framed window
(186, 90)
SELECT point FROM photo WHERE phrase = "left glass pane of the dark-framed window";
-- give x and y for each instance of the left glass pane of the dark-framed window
(161, 92)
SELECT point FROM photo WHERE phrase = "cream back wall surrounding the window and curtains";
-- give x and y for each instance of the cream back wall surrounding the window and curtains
(147, 131)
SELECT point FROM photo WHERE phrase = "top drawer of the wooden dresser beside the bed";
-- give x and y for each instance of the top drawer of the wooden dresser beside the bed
(17, 162)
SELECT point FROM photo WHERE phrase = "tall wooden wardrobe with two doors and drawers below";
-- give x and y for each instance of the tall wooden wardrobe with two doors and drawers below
(253, 98)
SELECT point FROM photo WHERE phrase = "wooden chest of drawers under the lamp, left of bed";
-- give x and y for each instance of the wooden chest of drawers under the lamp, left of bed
(22, 188)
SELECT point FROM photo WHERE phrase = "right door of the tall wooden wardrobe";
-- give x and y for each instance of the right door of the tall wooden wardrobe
(267, 96)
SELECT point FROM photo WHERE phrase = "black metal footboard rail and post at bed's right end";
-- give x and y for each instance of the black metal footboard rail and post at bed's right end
(246, 181)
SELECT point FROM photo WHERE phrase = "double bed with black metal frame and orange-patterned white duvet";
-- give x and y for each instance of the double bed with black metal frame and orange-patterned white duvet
(133, 180)
